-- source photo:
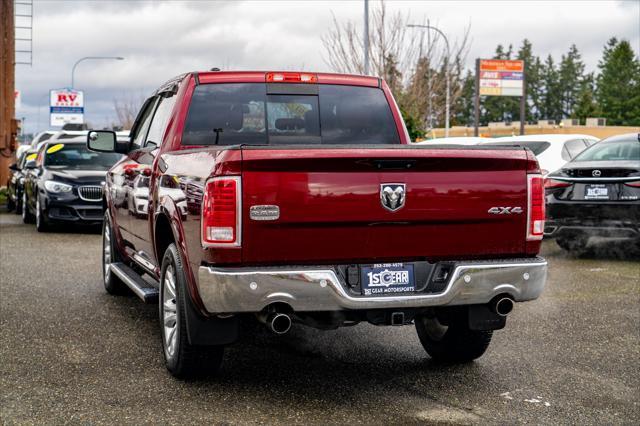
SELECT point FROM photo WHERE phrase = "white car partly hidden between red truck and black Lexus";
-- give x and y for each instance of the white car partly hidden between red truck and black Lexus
(552, 151)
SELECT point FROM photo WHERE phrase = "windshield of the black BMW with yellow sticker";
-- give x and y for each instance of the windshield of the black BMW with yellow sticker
(76, 156)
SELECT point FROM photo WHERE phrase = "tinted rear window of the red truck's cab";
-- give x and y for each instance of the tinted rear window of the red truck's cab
(243, 113)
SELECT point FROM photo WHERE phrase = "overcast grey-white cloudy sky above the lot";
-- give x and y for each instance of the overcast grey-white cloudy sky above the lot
(160, 39)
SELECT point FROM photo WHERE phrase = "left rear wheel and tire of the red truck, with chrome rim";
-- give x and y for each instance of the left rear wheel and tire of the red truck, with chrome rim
(182, 359)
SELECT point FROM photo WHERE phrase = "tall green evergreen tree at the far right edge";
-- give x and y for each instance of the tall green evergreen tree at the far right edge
(618, 91)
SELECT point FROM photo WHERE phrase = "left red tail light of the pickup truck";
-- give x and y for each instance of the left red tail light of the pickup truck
(221, 212)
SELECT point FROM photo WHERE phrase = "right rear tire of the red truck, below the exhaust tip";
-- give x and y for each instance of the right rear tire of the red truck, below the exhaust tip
(454, 343)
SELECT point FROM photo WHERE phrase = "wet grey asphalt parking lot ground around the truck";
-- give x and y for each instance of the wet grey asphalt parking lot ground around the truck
(70, 353)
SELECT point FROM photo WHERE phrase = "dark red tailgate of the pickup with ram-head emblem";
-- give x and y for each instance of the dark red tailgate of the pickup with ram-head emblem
(331, 208)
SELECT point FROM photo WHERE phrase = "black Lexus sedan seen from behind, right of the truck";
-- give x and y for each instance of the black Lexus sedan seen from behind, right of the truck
(596, 194)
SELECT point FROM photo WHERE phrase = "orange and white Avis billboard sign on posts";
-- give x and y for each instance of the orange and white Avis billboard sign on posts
(500, 77)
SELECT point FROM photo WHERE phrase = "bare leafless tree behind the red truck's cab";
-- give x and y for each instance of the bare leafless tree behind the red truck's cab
(412, 61)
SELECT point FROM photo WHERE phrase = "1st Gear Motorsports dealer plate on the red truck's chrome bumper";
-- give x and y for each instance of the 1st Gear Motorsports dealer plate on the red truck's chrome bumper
(387, 278)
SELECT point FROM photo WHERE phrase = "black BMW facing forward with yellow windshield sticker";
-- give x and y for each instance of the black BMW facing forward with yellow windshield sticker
(64, 184)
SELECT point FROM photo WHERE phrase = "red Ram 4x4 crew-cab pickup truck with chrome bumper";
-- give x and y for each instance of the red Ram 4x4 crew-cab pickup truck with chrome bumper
(297, 197)
